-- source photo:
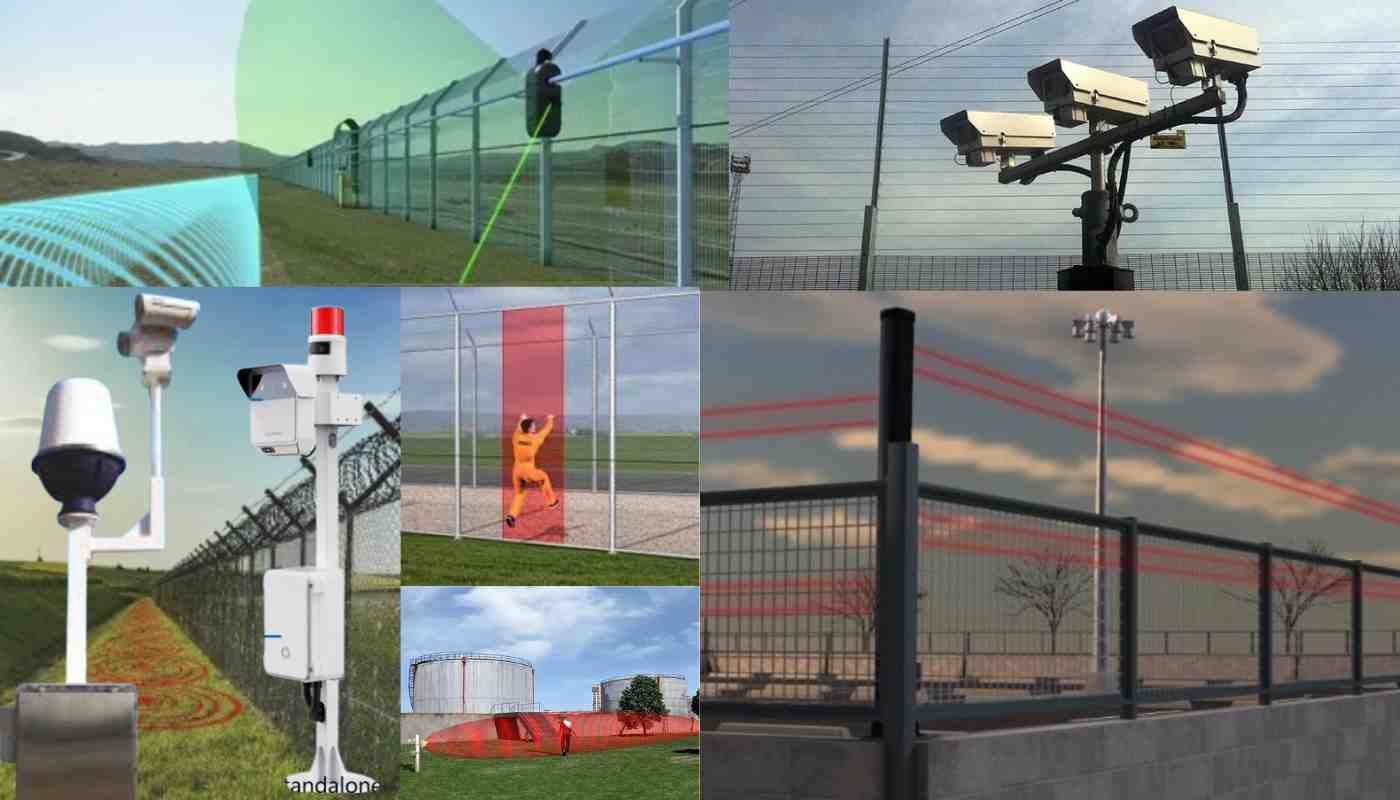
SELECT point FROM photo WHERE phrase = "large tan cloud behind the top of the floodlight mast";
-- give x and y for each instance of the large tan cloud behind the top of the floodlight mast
(1177, 354)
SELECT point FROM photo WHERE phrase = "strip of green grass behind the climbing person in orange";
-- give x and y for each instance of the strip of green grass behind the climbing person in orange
(653, 453)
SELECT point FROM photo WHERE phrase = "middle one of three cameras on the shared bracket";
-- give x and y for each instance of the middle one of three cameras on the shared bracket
(1077, 95)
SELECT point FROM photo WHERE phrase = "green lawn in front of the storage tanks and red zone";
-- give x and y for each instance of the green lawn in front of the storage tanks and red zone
(668, 771)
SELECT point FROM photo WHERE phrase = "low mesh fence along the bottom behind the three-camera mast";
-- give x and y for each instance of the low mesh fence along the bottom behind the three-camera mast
(1179, 271)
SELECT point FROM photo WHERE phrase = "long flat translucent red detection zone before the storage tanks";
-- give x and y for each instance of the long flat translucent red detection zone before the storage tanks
(538, 735)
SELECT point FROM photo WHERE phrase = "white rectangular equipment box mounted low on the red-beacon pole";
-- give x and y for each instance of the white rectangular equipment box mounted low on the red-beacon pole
(304, 624)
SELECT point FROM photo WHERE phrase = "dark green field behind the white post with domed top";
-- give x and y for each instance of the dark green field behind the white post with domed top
(36, 610)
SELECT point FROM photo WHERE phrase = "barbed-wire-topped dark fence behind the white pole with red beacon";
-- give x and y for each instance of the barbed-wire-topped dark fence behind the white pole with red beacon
(216, 598)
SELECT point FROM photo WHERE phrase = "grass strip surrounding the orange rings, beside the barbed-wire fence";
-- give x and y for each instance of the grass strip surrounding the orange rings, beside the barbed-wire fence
(246, 757)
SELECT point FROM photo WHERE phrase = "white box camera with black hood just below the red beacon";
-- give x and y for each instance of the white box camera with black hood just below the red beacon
(282, 408)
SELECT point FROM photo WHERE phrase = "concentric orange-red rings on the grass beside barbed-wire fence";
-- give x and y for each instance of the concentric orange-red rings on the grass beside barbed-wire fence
(173, 687)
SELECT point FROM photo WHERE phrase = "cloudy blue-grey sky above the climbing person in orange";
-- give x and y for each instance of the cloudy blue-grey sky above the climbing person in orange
(659, 352)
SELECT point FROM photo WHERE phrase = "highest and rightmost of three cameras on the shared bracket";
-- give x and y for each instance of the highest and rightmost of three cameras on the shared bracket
(1192, 47)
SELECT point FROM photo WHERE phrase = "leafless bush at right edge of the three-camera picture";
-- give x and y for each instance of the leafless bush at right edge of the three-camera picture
(1361, 260)
